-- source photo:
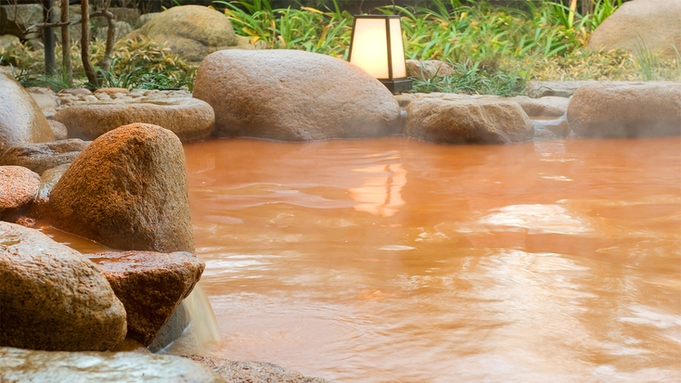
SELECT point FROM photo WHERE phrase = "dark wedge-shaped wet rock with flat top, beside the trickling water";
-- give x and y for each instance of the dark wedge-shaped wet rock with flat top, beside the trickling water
(151, 285)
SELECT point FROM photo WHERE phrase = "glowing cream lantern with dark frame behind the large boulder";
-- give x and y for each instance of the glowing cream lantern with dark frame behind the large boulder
(377, 47)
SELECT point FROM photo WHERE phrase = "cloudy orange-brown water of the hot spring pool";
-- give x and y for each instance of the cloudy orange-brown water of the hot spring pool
(392, 260)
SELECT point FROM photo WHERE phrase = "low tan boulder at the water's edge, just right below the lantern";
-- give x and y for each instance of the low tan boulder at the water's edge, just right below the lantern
(468, 121)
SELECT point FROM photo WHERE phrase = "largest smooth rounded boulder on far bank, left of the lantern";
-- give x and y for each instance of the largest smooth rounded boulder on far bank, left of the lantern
(294, 95)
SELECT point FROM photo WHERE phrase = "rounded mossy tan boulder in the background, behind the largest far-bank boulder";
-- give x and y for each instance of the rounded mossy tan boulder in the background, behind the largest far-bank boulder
(191, 32)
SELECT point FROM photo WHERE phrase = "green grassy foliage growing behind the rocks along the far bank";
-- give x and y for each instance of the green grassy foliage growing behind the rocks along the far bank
(492, 49)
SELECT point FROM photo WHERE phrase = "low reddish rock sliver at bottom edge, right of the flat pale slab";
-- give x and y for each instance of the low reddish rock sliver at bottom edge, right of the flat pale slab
(232, 371)
